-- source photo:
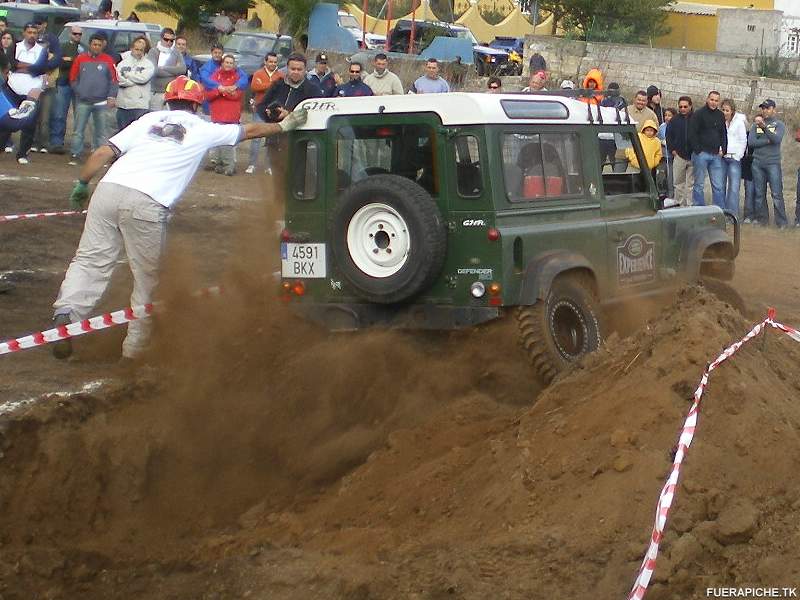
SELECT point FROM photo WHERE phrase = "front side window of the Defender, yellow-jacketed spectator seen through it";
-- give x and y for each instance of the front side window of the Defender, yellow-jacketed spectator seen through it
(620, 164)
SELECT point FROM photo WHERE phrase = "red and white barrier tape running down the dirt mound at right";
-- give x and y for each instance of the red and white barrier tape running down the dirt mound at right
(684, 441)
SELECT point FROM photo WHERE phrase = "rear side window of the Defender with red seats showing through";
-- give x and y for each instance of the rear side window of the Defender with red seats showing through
(542, 166)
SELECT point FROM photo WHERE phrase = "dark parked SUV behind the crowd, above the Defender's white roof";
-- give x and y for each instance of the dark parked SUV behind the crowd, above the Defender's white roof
(488, 61)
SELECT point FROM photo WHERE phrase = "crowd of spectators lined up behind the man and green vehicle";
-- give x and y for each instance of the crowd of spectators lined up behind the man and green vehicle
(683, 146)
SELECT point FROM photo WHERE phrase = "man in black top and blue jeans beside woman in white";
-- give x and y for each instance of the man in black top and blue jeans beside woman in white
(708, 140)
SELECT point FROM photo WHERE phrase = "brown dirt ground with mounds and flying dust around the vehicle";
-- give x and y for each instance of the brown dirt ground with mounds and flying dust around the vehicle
(255, 457)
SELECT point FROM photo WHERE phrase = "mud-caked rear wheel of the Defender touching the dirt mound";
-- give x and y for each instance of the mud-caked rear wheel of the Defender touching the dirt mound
(559, 330)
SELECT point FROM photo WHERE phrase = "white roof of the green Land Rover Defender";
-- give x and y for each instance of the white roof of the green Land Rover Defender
(460, 108)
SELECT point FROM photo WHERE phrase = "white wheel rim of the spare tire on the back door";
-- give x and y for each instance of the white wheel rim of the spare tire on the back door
(378, 240)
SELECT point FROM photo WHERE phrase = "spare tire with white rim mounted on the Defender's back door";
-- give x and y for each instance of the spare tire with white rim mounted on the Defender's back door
(388, 238)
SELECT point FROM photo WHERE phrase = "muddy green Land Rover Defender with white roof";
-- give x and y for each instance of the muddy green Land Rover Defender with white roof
(447, 210)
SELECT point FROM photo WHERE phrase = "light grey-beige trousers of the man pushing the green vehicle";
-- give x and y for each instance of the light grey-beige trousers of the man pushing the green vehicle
(119, 218)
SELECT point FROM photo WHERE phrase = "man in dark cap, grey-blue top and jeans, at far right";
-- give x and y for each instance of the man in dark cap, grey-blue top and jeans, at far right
(765, 137)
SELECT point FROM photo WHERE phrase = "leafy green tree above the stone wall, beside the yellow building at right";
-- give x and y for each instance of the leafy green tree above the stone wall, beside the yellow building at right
(629, 21)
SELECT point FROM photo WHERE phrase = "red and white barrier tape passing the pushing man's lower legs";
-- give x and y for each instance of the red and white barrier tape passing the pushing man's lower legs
(119, 317)
